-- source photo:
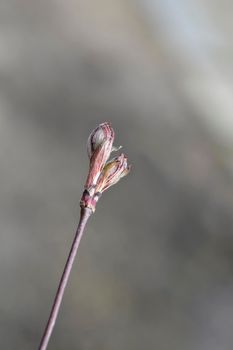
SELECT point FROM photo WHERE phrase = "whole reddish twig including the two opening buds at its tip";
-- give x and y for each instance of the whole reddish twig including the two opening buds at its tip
(102, 175)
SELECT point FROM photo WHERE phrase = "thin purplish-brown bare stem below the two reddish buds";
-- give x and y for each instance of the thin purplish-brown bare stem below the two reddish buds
(84, 215)
